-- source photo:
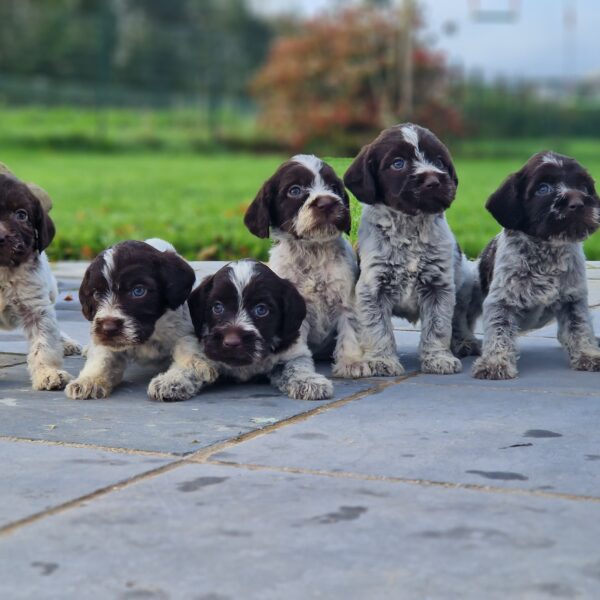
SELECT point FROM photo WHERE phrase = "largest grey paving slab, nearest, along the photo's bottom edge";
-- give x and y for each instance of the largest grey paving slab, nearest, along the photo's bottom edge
(221, 533)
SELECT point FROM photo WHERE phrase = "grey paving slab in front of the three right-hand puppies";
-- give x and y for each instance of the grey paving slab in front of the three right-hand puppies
(520, 439)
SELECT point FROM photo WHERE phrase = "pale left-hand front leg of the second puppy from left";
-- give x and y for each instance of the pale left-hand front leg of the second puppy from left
(102, 372)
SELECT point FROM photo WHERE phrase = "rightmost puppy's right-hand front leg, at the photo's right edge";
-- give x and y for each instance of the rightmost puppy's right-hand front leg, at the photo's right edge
(576, 334)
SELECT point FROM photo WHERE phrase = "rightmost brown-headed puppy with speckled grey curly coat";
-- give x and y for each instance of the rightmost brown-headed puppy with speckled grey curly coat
(534, 270)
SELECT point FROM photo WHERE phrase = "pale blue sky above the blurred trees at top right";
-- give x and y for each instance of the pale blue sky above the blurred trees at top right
(534, 46)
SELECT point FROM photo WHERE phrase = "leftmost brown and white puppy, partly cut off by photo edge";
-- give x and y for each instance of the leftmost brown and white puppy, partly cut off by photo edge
(27, 287)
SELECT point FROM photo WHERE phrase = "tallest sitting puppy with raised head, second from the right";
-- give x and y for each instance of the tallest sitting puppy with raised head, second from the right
(410, 264)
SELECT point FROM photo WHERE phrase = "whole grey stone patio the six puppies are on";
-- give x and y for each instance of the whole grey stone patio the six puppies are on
(417, 487)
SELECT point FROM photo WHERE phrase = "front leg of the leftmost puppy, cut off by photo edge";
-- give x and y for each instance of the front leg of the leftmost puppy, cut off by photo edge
(45, 348)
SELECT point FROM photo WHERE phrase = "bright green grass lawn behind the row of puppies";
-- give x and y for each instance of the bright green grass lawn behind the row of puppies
(197, 201)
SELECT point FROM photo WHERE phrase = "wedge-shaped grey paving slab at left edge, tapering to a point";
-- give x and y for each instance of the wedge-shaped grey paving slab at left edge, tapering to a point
(36, 478)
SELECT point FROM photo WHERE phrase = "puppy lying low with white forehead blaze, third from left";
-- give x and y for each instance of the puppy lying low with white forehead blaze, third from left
(248, 322)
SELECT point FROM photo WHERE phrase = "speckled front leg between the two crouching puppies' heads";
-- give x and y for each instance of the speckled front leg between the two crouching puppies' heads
(187, 374)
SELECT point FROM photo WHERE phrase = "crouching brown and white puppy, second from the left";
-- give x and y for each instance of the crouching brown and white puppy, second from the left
(134, 294)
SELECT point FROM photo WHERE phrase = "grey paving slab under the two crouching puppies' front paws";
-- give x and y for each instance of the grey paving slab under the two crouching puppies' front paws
(129, 420)
